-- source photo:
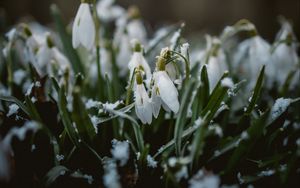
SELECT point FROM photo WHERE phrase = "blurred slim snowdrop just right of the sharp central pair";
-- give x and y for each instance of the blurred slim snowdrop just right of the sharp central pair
(216, 65)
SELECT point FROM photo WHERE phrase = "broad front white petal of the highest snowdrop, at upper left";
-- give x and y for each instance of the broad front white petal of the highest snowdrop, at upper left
(87, 27)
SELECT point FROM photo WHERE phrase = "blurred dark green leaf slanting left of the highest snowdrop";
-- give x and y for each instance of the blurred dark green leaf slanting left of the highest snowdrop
(66, 40)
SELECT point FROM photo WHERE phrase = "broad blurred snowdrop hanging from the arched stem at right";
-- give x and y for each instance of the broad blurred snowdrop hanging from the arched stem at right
(251, 55)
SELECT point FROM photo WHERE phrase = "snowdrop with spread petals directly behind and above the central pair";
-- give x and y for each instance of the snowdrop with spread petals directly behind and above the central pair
(138, 61)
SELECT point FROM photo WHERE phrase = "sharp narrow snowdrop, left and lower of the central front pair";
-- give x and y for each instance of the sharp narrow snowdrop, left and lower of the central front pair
(143, 108)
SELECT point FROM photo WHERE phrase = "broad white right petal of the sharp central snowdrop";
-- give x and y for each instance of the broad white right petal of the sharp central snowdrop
(167, 91)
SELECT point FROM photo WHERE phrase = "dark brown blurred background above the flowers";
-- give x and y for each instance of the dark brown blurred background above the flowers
(200, 15)
